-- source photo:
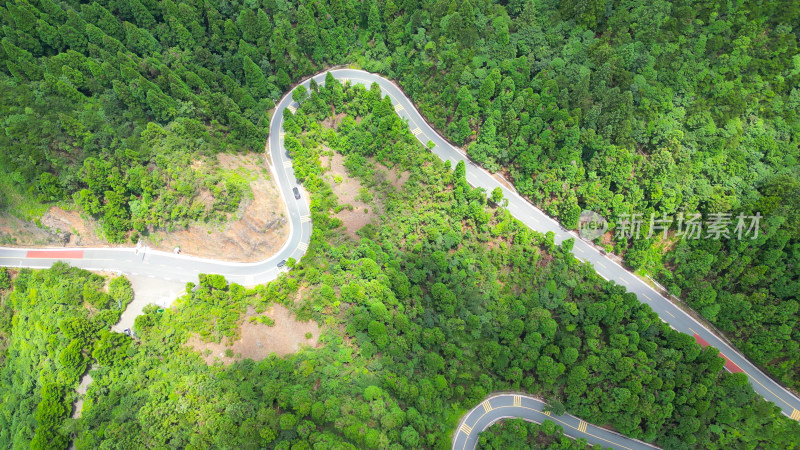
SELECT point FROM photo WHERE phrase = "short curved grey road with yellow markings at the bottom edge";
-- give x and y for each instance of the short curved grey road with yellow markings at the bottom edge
(505, 406)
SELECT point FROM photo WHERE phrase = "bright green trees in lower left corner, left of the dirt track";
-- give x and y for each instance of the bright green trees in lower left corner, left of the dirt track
(52, 325)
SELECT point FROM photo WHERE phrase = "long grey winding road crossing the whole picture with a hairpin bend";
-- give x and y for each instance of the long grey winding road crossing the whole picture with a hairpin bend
(169, 266)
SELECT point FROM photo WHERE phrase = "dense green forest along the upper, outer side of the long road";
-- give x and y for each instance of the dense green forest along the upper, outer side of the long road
(634, 107)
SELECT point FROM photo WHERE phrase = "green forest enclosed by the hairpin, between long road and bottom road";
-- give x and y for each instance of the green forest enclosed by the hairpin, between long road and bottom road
(447, 300)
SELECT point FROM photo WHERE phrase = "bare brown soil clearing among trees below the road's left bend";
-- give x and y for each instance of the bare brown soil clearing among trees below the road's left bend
(258, 340)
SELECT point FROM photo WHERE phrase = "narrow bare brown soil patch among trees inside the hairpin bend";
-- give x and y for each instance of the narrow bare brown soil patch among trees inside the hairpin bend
(347, 190)
